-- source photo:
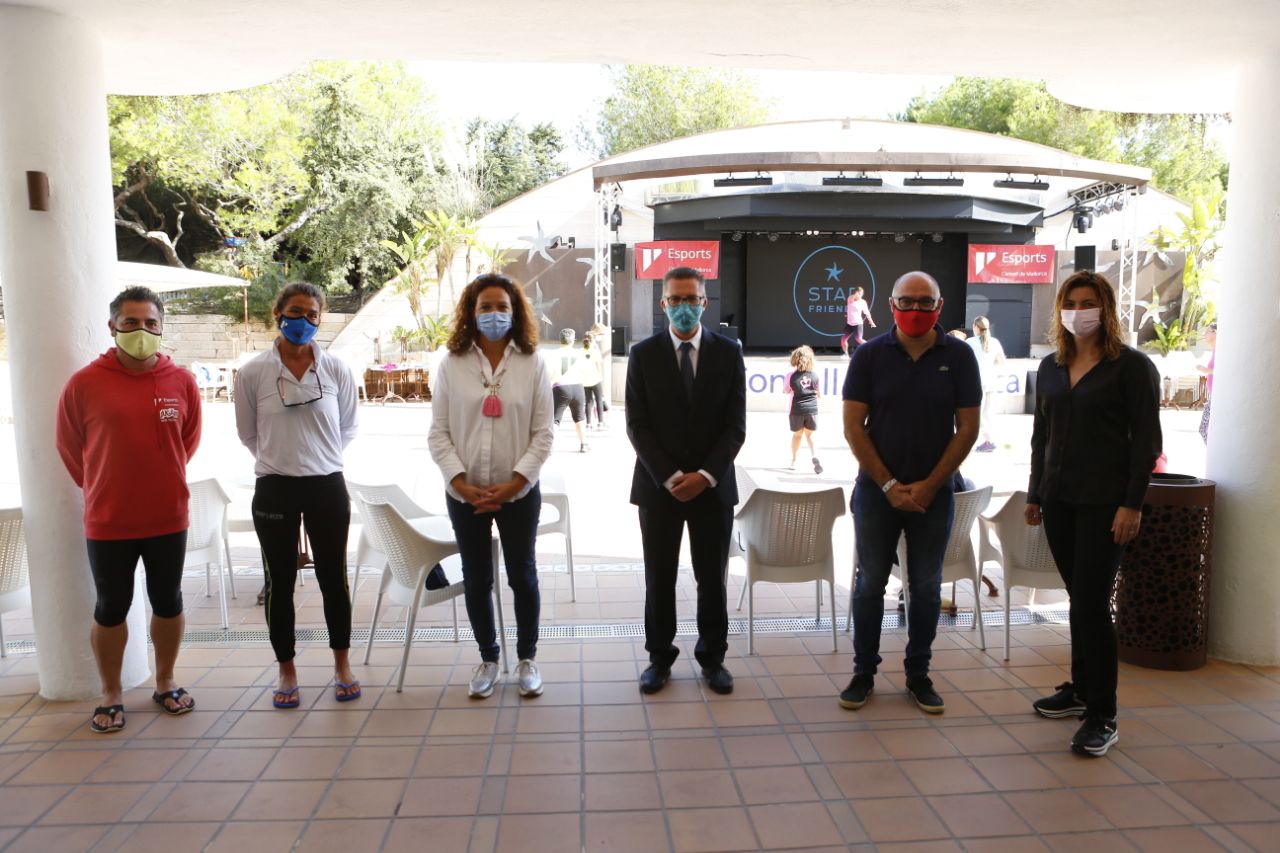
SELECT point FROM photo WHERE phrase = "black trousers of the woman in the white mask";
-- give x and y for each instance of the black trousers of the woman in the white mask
(1087, 556)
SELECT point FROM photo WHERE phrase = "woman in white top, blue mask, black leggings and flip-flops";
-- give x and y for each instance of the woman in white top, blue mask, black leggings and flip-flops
(296, 413)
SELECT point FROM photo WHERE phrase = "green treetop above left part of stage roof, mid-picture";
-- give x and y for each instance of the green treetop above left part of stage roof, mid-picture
(657, 103)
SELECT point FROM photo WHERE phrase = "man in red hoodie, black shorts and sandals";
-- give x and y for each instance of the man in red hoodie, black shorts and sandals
(127, 426)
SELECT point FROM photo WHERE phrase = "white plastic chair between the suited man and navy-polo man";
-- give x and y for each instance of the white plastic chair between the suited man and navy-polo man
(787, 537)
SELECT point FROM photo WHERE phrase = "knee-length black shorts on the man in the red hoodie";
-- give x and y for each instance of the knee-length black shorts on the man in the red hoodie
(113, 563)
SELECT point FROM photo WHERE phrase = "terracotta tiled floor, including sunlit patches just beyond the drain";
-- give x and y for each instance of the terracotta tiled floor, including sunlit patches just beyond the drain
(593, 765)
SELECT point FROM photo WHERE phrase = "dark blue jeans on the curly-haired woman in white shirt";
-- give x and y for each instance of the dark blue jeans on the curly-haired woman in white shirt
(518, 530)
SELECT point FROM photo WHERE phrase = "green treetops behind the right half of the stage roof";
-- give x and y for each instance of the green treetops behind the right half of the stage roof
(1185, 162)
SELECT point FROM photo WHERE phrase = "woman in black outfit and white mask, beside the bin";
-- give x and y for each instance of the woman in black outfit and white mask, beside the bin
(1095, 443)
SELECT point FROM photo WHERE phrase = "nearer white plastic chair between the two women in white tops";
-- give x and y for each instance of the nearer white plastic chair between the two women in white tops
(410, 555)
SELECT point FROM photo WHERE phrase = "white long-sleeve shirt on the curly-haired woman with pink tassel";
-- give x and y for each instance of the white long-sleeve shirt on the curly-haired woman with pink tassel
(491, 450)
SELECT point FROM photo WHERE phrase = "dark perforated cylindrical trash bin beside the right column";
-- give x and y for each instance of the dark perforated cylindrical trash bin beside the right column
(1163, 590)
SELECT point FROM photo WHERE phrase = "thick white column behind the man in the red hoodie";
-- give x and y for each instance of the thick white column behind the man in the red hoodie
(58, 272)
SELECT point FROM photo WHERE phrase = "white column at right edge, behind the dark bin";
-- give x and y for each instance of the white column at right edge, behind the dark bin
(1245, 440)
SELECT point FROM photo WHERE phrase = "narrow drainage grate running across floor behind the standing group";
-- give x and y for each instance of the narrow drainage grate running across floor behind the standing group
(621, 631)
